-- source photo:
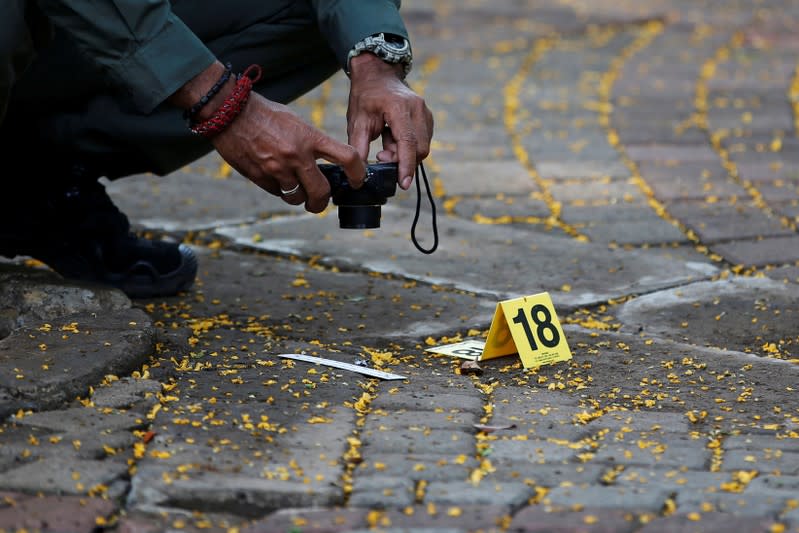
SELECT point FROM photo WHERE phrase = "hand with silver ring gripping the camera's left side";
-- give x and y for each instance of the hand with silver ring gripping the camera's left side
(277, 150)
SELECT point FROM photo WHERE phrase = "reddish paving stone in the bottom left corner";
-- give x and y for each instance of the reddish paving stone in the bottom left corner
(54, 513)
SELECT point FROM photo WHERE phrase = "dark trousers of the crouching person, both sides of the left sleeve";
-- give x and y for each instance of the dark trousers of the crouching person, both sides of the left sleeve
(80, 120)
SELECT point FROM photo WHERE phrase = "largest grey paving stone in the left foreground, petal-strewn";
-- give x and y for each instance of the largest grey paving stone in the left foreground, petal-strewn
(227, 475)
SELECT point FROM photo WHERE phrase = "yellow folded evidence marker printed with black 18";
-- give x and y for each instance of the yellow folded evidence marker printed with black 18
(530, 327)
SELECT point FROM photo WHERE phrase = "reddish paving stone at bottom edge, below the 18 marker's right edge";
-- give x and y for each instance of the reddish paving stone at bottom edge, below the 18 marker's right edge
(534, 519)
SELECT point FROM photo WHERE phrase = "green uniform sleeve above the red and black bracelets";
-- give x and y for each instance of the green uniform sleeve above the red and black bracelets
(143, 47)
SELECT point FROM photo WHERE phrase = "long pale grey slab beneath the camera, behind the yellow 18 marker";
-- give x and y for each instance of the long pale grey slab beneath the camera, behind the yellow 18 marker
(541, 262)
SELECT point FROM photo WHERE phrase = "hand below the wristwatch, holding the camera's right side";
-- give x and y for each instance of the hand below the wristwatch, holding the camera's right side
(382, 104)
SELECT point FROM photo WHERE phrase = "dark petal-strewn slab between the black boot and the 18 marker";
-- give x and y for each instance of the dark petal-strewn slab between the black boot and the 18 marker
(285, 297)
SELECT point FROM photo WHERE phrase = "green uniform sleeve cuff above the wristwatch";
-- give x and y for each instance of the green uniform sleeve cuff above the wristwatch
(345, 22)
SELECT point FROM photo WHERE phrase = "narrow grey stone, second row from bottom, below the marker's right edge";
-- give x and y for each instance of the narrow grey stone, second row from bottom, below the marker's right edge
(638, 499)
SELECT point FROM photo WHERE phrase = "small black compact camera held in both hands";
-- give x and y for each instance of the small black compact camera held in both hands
(360, 208)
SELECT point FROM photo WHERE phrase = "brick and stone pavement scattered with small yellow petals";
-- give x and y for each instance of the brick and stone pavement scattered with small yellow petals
(636, 160)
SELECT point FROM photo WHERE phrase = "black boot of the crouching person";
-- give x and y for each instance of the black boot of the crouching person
(73, 227)
